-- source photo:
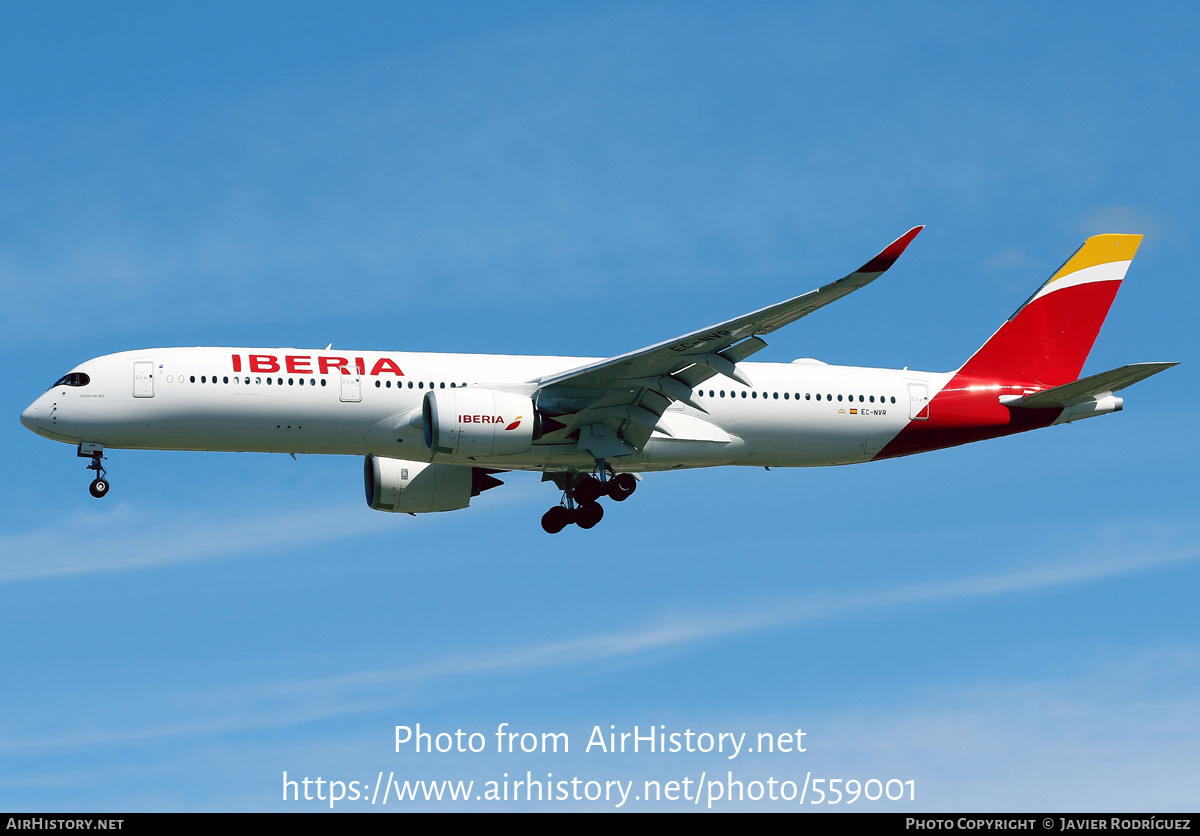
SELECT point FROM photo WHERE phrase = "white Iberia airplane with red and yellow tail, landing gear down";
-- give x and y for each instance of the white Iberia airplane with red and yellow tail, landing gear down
(435, 429)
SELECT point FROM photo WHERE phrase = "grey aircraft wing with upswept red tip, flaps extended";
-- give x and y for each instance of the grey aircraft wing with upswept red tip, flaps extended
(616, 404)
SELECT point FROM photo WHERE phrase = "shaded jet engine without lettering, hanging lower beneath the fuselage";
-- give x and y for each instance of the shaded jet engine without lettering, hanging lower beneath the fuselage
(415, 488)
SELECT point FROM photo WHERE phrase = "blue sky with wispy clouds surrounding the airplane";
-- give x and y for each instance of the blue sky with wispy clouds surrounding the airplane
(1010, 624)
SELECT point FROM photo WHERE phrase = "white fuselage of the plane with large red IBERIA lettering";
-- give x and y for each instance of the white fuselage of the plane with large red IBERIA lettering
(305, 401)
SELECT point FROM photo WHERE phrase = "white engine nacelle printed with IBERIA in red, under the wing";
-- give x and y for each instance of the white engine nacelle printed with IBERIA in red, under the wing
(479, 423)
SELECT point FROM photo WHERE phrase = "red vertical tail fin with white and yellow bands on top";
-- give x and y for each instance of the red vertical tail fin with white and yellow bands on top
(1049, 338)
